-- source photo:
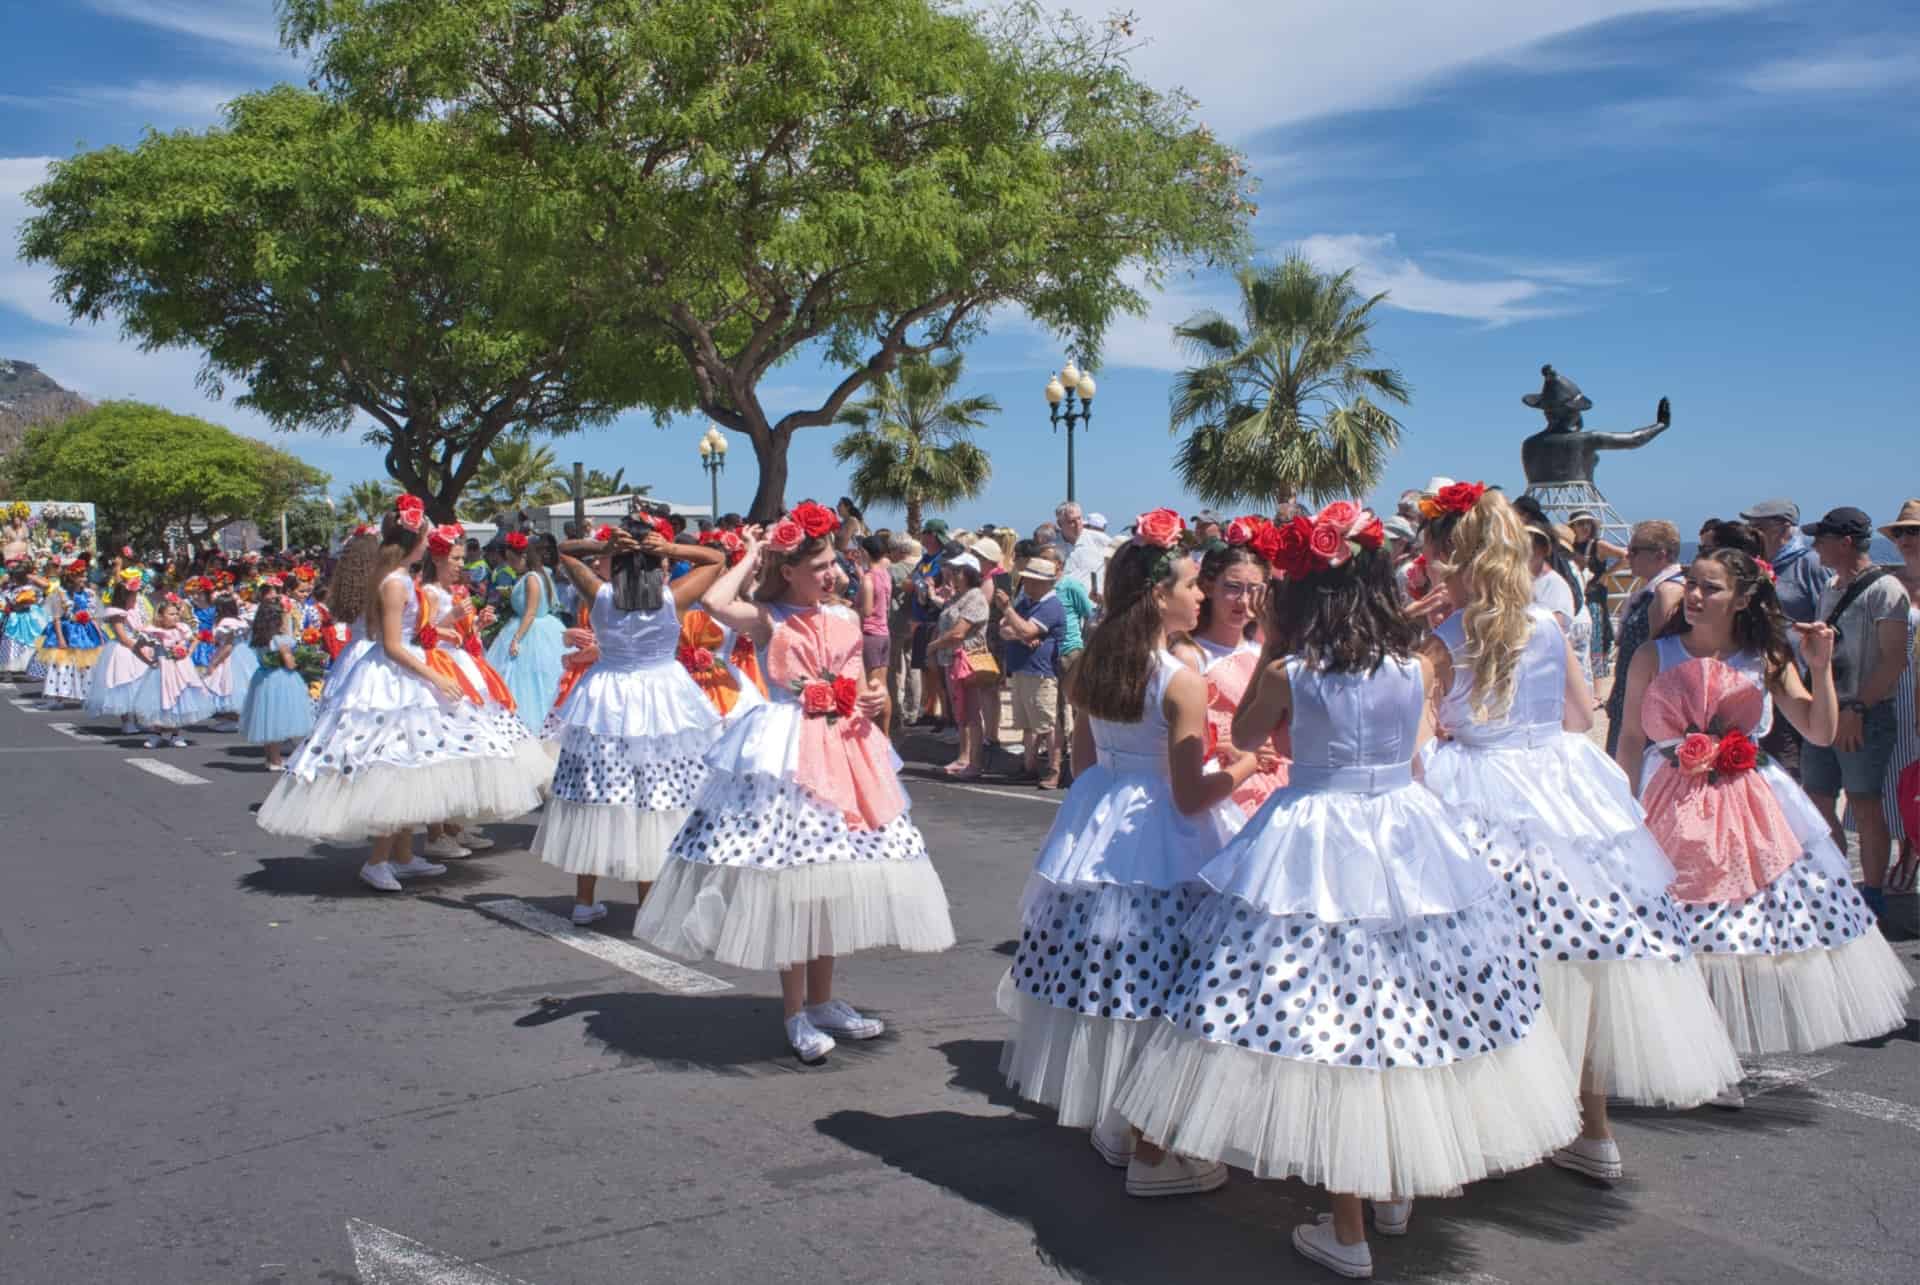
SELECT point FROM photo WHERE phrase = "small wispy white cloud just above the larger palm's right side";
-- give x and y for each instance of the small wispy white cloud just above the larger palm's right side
(1380, 264)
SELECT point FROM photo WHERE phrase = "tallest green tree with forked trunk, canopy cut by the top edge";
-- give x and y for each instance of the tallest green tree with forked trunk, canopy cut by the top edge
(855, 182)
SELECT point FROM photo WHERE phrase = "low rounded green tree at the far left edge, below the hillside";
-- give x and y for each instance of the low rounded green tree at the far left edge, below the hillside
(147, 472)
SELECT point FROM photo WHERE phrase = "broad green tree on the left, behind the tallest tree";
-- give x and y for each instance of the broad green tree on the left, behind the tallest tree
(350, 272)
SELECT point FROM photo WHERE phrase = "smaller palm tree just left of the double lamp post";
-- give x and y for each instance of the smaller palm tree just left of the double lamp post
(911, 443)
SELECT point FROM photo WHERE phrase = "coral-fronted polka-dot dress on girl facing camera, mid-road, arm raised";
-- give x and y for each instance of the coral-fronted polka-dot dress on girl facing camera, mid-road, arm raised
(802, 842)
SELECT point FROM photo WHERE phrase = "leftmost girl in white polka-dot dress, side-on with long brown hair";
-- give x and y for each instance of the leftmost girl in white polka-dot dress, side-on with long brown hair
(398, 744)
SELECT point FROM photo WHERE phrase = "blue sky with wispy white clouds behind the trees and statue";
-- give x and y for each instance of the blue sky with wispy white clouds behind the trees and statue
(1708, 201)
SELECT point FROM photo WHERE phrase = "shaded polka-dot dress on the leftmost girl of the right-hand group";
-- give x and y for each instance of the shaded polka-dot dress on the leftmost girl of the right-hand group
(1101, 921)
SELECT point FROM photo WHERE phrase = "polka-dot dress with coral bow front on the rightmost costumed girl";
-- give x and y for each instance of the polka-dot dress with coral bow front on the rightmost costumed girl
(1792, 956)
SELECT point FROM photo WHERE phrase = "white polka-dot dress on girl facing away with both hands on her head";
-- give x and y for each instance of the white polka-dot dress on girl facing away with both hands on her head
(631, 740)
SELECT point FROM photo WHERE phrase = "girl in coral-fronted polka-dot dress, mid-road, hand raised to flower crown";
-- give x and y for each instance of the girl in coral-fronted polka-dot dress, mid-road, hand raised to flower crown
(800, 848)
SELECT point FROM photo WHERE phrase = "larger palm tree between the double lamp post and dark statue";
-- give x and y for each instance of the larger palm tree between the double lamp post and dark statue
(1285, 408)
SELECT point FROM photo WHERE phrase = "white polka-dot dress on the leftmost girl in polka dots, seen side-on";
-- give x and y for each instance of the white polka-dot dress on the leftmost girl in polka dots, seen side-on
(391, 754)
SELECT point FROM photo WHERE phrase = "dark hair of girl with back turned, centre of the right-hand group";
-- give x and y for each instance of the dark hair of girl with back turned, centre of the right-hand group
(1345, 619)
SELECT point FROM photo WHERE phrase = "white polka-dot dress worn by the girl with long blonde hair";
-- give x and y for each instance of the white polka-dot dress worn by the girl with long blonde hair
(1558, 823)
